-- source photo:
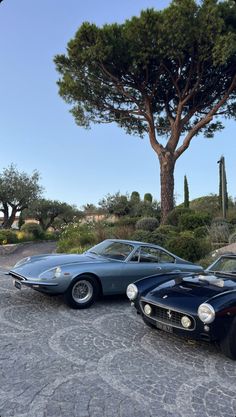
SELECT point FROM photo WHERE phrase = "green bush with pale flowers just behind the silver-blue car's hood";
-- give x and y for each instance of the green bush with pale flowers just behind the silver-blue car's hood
(76, 235)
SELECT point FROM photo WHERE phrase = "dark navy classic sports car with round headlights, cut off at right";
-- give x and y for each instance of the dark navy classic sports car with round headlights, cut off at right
(199, 306)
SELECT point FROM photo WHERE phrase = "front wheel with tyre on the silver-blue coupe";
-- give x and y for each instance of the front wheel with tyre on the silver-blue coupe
(82, 292)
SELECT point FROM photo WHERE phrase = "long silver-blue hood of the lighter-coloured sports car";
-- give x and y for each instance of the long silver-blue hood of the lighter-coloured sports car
(38, 264)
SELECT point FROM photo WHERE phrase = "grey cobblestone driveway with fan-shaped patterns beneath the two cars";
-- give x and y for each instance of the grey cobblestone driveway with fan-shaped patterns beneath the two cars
(102, 362)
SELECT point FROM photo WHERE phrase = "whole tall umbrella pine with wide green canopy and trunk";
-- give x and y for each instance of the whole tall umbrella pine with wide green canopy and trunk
(170, 74)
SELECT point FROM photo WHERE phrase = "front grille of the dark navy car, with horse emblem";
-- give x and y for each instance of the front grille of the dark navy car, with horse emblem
(168, 316)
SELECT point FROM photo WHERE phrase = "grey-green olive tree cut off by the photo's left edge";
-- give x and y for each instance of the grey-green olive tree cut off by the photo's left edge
(17, 191)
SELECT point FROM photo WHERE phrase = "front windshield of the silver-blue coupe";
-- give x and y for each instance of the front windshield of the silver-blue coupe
(112, 250)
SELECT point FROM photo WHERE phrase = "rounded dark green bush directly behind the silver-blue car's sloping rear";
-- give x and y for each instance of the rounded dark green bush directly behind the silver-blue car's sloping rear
(188, 247)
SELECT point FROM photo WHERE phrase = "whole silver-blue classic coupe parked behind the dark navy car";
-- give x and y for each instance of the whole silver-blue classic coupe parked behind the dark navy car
(106, 268)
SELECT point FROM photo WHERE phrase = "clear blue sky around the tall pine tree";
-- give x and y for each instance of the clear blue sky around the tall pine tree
(38, 132)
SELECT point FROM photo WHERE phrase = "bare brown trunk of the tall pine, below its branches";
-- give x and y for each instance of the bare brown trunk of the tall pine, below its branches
(167, 165)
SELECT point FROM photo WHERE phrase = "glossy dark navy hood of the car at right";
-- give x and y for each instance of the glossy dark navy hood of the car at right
(189, 292)
